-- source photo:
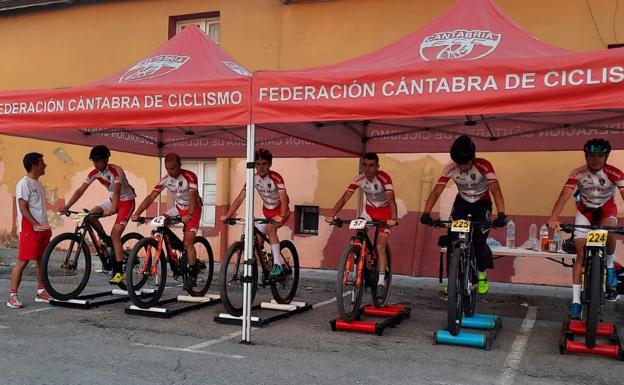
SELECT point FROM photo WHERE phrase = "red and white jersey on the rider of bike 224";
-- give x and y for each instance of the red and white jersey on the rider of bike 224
(596, 188)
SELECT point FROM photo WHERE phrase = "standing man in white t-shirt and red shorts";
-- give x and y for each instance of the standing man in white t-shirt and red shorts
(32, 226)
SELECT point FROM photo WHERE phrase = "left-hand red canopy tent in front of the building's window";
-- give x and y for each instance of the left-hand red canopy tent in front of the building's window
(189, 96)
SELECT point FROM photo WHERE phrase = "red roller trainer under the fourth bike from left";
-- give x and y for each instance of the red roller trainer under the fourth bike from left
(394, 314)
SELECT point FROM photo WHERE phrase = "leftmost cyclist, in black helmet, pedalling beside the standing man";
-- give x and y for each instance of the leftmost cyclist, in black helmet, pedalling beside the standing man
(121, 202)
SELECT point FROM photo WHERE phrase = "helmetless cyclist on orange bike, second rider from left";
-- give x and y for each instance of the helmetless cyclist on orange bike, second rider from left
(188, 205)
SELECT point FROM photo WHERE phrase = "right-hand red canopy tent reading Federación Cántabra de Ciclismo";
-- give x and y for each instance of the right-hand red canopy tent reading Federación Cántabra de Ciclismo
(473, 70)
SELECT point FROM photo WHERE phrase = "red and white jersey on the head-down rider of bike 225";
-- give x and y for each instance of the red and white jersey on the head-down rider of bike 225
(473, 185)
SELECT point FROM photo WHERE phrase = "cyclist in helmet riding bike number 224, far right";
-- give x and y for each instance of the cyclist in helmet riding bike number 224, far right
(597, 183)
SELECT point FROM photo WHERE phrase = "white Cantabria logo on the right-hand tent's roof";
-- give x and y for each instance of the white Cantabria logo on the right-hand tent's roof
(459, 44)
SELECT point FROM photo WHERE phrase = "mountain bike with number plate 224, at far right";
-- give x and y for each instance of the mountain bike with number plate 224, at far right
(594, 281)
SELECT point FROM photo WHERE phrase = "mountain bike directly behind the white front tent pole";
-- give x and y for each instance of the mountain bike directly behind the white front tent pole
(283, 288)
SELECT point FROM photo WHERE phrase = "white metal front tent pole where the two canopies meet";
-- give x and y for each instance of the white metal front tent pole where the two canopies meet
(249, 236)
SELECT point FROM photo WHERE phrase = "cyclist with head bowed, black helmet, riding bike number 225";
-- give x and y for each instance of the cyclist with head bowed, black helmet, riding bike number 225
(475, 180)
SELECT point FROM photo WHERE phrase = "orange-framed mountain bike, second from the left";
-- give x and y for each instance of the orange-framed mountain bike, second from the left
(149, 258)
